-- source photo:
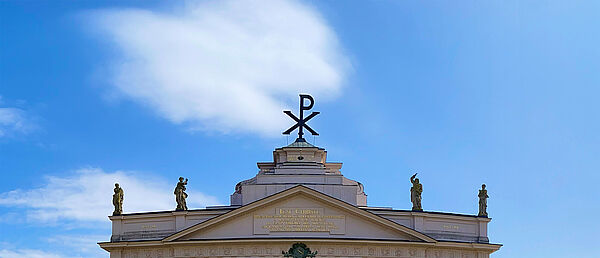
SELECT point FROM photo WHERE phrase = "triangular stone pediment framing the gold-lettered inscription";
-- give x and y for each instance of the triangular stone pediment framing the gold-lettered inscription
(299, 212)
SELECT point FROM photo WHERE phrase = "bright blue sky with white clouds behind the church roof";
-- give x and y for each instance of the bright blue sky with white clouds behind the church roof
(497, 92)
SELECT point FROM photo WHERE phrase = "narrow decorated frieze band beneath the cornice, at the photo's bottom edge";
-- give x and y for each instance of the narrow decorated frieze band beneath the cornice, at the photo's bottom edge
(321, 250)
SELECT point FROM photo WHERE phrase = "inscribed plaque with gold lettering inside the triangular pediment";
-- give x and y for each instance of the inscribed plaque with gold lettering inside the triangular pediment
(299, 220)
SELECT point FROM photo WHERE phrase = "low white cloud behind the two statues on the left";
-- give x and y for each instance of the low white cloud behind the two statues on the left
(87, 195)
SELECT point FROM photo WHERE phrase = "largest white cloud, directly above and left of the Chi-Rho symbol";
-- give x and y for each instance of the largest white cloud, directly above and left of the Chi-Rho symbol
(224, 65)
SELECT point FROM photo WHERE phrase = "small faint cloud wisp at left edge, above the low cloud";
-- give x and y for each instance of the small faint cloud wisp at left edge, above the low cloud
(14, 120)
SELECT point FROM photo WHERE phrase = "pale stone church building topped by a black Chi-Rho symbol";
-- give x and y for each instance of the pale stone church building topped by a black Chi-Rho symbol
(299, 205)
